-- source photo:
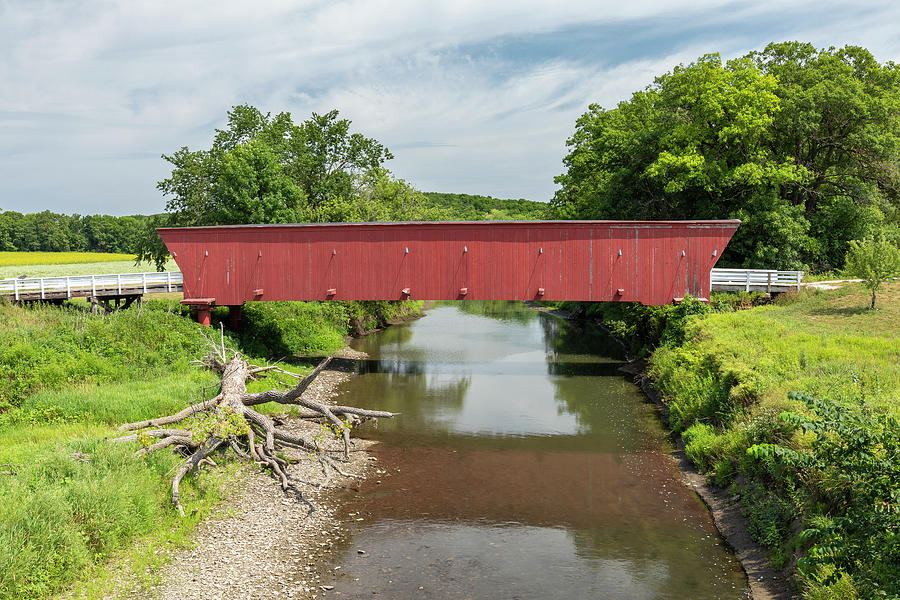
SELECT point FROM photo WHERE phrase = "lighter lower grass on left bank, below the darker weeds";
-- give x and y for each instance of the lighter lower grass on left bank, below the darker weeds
(60, 516)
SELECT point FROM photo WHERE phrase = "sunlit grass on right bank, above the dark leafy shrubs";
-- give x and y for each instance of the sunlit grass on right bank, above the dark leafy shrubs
(826, 344)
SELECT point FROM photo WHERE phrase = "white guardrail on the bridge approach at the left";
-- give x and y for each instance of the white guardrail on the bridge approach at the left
(93, 285)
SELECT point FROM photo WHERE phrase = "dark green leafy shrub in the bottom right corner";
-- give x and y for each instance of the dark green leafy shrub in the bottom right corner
(851, 465)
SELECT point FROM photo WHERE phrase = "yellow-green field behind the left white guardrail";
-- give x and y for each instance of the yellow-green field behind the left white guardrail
(106, 264)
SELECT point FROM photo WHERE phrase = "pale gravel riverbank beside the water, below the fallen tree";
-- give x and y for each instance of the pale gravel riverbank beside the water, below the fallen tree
(265, 543)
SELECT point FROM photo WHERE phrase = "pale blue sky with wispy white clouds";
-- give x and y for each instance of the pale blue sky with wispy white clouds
(470, 97)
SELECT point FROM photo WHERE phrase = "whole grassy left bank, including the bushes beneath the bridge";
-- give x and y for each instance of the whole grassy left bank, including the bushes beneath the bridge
(69, 500)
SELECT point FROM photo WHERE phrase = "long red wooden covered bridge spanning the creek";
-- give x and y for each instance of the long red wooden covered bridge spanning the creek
(652, 262)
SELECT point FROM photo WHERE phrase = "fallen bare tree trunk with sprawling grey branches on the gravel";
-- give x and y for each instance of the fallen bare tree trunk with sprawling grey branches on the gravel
(227, 421)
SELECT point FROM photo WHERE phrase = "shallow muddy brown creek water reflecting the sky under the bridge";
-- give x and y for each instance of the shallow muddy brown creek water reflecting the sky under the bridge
(524, 465)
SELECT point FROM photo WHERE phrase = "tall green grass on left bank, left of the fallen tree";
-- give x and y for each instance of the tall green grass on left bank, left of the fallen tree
(66, 379)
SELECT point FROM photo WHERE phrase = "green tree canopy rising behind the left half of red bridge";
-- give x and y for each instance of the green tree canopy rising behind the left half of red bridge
(268, 169)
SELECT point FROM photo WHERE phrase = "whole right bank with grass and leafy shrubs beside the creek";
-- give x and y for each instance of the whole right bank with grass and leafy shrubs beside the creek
(793, 405)
